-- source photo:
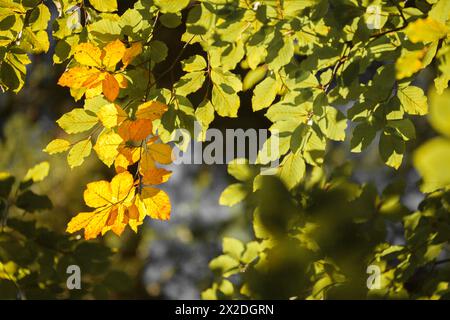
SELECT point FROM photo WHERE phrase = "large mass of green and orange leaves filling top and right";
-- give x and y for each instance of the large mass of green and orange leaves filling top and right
(318, 69)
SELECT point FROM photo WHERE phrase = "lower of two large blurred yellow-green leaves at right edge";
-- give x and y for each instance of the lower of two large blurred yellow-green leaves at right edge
(431, 160)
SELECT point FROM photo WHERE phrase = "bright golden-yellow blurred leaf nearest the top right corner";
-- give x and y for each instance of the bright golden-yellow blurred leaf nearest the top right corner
(426, 30)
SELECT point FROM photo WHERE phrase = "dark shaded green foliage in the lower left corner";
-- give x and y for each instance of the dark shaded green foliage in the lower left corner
(34, 259)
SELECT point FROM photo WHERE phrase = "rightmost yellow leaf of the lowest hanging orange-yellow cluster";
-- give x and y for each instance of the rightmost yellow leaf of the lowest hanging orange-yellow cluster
(155, 203)
